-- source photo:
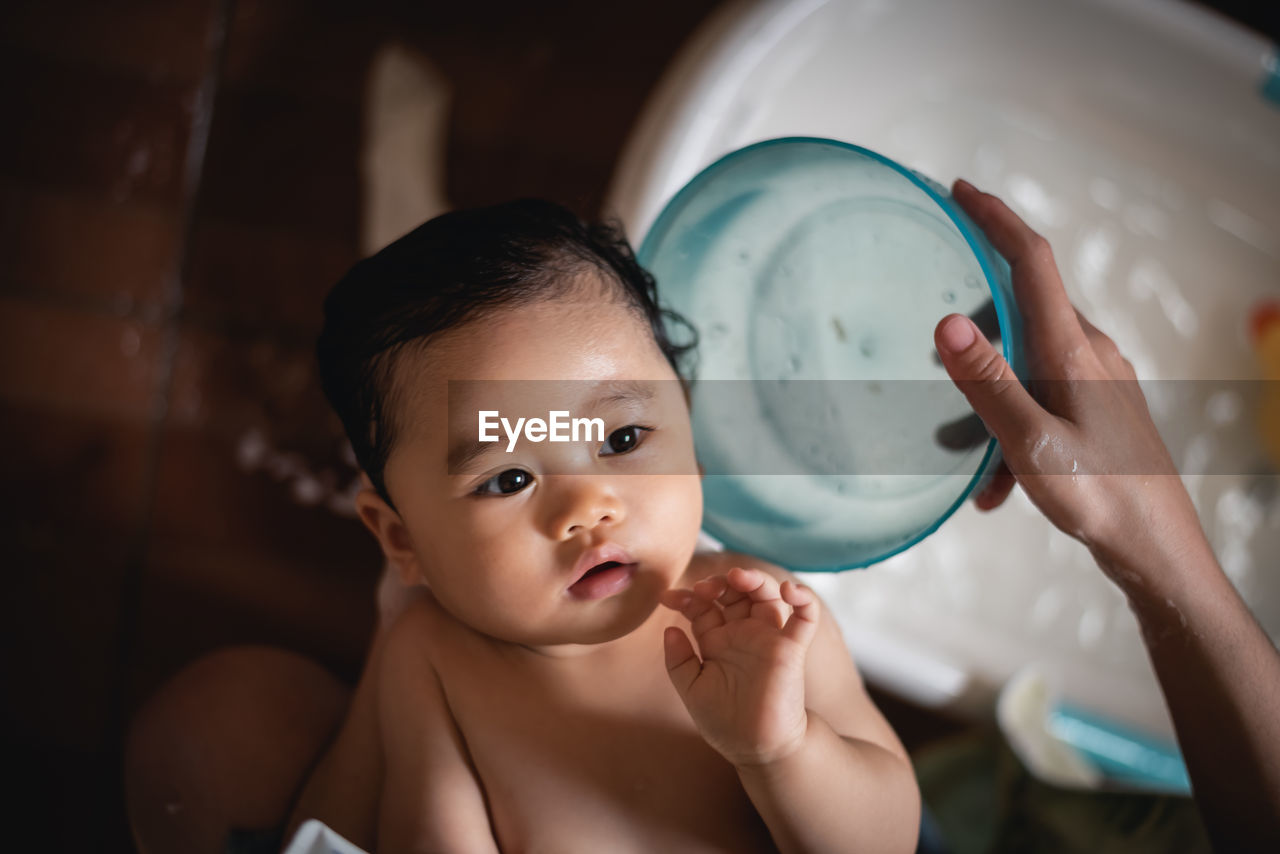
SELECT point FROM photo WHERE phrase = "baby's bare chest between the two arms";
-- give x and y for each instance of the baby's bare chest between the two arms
(620, 768)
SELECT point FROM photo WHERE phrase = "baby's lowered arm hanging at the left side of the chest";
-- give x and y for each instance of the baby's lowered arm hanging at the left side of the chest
(431, 798)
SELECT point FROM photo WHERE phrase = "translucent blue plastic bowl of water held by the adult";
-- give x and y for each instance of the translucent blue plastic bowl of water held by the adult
(816, 272)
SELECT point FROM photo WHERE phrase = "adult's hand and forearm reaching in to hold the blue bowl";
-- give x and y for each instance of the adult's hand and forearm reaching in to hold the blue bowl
(1107, 479)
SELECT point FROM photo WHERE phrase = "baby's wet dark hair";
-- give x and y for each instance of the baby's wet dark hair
(449, 272)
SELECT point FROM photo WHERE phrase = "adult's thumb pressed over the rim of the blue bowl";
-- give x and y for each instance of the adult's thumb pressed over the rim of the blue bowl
(988, 382)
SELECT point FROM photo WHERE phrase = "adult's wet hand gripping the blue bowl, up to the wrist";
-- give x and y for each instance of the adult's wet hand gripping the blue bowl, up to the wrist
(1082, 444)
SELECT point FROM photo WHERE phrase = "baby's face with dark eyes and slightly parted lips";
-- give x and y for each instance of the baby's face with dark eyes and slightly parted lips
(504, 538)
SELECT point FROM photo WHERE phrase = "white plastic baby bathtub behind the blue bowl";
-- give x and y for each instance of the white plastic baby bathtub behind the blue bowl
(1136, 138)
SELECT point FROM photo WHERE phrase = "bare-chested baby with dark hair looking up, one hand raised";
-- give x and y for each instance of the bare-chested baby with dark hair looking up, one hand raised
(568, 674)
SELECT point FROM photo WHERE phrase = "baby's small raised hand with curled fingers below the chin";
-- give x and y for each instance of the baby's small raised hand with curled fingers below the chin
(747, 693)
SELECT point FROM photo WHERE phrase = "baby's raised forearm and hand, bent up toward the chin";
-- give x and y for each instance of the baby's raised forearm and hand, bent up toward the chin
(776, 693)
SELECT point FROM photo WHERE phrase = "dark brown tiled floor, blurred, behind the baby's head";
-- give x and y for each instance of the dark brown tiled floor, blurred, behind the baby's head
(180, 189)
